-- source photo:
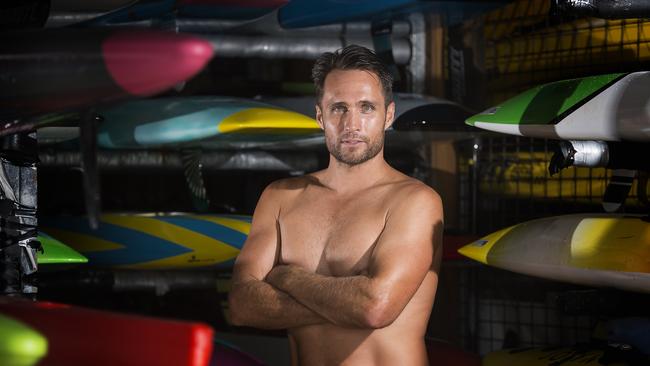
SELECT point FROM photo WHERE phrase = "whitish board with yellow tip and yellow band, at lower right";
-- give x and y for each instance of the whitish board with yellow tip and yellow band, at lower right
(603, 250)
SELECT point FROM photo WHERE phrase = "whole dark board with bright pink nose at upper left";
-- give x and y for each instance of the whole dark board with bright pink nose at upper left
(43, 71)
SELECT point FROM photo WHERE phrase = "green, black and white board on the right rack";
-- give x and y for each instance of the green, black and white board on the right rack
(609, 107)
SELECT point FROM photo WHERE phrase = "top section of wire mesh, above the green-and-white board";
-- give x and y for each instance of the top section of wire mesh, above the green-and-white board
(527, 43)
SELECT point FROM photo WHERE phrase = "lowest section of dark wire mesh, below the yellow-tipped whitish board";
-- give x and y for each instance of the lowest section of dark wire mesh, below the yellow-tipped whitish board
(502, 309)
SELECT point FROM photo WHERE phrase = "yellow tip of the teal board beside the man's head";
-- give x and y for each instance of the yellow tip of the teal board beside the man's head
(269, 119)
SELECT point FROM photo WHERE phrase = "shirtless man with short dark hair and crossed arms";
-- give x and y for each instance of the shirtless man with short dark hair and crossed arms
(347, 258)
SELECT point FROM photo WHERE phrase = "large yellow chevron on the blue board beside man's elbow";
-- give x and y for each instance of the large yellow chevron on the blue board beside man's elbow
(206, 250)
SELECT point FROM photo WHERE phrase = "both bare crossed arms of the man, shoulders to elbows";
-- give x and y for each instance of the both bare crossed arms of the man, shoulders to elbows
(267, 295)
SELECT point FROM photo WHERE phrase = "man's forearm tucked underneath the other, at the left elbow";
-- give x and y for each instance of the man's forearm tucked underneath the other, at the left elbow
(258, 304)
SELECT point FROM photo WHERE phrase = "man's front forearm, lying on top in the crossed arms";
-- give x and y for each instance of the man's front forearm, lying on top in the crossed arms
(344, 301)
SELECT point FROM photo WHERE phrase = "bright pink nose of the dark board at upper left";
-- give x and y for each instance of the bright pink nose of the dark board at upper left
(148, 62)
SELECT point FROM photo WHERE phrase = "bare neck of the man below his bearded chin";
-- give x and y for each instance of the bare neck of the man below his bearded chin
(344, 178)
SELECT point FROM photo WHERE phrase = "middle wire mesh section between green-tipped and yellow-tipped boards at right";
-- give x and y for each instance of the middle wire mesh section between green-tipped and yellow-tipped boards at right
(505, 180)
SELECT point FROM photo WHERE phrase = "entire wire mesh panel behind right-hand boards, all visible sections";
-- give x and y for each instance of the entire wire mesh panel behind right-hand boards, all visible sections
(504, 180)
